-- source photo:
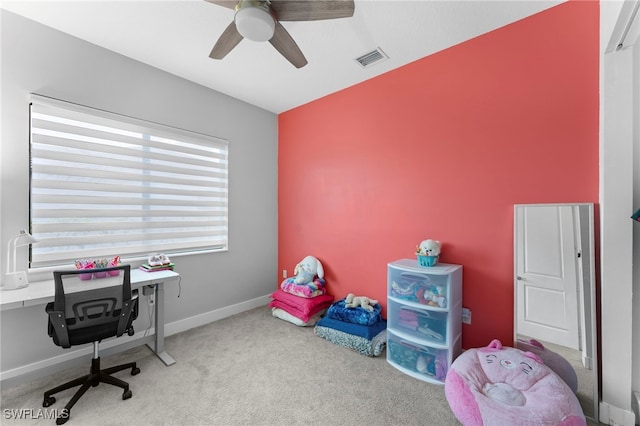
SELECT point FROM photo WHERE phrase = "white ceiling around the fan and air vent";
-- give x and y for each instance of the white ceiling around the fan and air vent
(177, 36)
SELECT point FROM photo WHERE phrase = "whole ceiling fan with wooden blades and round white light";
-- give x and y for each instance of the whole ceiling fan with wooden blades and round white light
(259, 20)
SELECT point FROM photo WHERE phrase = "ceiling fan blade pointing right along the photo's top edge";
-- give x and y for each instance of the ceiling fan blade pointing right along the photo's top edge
(304, 10)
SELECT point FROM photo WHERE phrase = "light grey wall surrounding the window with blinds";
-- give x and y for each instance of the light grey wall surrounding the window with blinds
(35, 58)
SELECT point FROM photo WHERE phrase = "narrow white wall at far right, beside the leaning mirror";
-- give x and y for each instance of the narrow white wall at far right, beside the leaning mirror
(619, 180)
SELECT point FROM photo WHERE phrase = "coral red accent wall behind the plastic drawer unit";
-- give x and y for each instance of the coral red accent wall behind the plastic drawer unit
(443, 148)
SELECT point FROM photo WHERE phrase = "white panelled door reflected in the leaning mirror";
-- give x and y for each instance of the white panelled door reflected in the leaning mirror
(546, 274)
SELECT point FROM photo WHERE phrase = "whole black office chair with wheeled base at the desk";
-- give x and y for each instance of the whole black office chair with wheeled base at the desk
(87, 309)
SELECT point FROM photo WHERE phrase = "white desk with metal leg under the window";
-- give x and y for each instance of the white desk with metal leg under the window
(42, 292)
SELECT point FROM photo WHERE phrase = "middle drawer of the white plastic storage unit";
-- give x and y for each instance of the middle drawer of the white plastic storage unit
(421, 324)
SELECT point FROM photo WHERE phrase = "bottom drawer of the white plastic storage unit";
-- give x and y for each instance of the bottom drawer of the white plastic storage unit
(418, 360)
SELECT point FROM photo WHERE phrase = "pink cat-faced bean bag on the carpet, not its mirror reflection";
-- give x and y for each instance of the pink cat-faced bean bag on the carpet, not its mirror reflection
(499, 386)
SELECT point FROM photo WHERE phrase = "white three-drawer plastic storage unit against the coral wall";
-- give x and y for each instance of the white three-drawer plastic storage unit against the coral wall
(424, 318)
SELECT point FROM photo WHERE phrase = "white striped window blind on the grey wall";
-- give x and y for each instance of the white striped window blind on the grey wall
(103, 184)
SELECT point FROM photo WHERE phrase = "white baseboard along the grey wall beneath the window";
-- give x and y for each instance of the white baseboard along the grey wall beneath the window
(73, 357)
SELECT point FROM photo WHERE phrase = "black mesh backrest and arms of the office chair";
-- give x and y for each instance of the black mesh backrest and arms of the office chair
(91, 305)
